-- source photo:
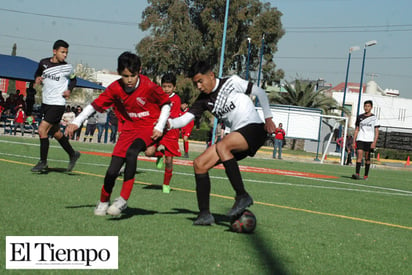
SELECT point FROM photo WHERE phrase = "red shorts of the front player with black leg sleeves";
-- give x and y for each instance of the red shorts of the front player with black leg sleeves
(127, 137)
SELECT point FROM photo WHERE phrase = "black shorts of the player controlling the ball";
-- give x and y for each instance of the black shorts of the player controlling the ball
(255, 135)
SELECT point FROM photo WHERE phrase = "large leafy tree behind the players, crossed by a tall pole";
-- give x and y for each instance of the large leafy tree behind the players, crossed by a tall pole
(182, 31)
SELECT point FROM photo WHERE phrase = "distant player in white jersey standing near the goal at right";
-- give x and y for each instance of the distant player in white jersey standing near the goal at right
(366, 135)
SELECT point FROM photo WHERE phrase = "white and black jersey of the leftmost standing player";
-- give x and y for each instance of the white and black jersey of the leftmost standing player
(56, 78)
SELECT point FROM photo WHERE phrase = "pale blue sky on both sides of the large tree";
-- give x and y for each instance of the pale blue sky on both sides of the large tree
(318, 35)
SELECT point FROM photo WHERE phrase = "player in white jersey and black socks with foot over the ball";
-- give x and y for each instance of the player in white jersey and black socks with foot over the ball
(228, 99)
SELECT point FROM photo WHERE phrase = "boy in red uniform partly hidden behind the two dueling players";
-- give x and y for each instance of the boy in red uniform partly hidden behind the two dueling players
(170, 140)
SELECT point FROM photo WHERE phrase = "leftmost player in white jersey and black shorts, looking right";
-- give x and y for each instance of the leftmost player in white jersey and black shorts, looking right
(58, 81)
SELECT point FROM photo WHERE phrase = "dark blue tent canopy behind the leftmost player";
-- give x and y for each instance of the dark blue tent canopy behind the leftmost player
(21, 68)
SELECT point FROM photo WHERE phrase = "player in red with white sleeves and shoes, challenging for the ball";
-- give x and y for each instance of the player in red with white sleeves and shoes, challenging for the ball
(145, 107)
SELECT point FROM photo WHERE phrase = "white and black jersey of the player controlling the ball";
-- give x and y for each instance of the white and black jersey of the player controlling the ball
(229, 102)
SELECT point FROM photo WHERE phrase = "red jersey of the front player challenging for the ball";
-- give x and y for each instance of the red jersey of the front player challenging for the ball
(139, 109)
